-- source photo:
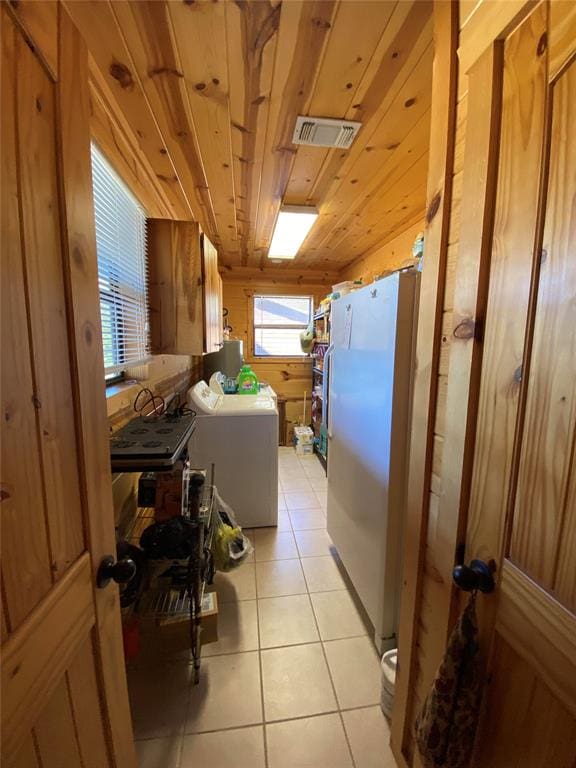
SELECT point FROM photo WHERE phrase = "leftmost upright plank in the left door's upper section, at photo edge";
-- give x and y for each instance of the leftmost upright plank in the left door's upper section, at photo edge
(26, 575)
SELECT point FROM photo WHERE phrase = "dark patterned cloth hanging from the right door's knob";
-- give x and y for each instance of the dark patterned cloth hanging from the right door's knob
(446, 725)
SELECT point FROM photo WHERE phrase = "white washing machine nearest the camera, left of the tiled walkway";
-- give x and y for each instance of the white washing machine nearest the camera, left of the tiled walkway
(239, 435)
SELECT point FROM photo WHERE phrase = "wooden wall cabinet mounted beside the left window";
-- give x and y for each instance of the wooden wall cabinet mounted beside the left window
(185, 293)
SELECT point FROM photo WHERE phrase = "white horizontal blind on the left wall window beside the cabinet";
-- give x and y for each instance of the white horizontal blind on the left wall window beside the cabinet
(122, 268)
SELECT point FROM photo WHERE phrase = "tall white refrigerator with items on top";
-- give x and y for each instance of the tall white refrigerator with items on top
(371, 362)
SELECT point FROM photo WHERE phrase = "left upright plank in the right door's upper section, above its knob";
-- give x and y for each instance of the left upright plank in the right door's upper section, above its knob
(522, 129)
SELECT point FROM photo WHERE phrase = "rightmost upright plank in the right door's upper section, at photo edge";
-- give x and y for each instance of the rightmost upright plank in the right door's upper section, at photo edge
(541, 514)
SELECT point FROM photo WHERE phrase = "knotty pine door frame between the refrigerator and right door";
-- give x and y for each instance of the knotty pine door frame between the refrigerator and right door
(421, 646)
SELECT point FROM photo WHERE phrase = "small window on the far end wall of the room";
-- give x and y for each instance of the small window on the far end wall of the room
(278, 323)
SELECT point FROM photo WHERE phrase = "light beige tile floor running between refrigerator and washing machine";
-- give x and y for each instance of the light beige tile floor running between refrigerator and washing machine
(294, 680)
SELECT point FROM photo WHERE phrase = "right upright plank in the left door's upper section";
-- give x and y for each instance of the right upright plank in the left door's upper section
(42, 246)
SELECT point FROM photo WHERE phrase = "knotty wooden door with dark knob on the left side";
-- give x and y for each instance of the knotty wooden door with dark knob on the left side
(64, 695)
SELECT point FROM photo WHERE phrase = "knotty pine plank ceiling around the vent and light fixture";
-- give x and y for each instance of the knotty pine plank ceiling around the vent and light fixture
(196, 102)
